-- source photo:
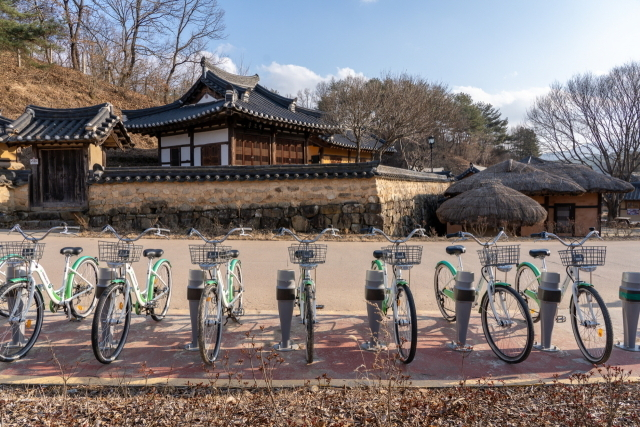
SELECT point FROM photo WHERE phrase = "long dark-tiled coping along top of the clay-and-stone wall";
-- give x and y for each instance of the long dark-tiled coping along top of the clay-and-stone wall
(258, 173)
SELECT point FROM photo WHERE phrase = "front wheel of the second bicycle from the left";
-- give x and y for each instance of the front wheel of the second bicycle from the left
(111, 322)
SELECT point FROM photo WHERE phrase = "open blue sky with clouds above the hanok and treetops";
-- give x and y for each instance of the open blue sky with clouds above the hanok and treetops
(502, 52)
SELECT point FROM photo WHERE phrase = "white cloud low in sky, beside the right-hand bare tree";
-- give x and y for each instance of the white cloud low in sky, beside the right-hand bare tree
(512, 104)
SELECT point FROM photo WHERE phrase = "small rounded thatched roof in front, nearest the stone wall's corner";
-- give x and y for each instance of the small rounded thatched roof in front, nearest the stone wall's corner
(494, 203)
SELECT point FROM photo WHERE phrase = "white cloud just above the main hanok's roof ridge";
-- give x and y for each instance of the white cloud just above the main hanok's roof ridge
(289, 78)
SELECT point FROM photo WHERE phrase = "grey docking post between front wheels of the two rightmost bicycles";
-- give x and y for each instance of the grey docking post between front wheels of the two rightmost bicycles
(550, 296)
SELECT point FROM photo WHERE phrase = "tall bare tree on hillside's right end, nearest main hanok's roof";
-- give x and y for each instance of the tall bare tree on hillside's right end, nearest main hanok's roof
(193, 23)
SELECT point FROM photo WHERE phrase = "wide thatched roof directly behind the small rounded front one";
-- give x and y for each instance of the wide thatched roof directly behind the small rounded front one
(524, 178)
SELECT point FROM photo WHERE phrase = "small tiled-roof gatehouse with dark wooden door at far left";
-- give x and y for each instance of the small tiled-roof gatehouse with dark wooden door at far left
(66, 144)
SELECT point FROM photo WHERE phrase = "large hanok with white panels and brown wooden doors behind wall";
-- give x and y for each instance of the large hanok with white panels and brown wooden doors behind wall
(227, 119)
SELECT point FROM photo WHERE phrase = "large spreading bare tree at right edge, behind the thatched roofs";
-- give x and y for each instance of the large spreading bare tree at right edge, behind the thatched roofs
(594, 120)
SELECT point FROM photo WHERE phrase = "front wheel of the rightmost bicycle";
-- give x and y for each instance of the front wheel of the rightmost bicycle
(594, 334)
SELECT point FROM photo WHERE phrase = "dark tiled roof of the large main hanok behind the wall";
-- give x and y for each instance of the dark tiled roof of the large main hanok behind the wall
(249, 99)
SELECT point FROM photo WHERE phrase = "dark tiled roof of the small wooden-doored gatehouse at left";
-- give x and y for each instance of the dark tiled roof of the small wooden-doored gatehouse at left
(39, 125)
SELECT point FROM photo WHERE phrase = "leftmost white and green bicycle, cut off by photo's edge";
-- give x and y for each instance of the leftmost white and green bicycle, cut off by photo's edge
(21, 299)
